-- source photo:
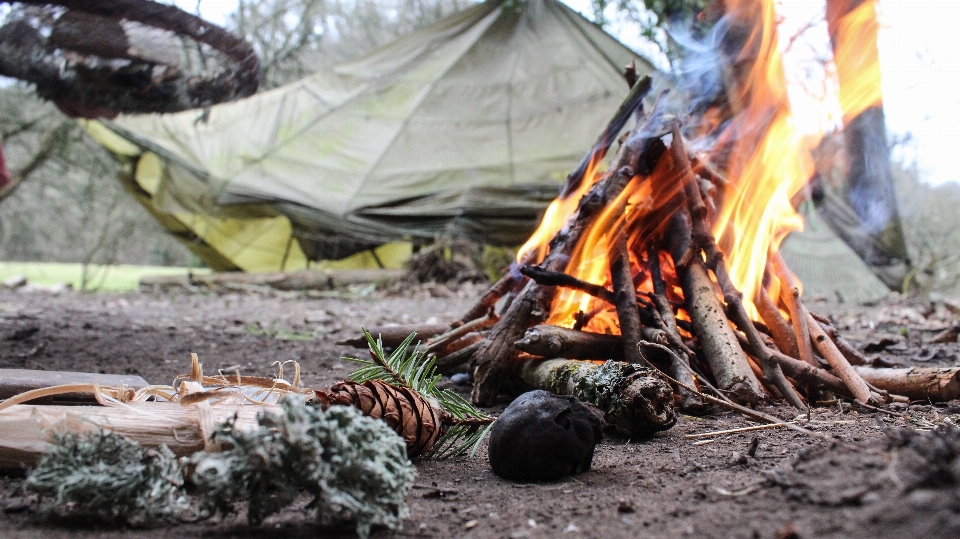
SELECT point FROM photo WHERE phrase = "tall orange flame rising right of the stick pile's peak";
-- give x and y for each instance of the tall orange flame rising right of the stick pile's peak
(772, 160)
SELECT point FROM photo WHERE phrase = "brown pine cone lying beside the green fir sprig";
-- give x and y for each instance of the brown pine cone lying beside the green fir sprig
(419, 422)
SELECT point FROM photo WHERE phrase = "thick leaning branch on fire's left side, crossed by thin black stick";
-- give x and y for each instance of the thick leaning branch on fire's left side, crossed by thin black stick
(532, 304)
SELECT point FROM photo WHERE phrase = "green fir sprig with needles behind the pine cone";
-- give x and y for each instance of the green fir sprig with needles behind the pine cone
(414, 370)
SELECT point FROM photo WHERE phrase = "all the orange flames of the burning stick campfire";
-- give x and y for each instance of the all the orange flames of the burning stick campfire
(768, 162)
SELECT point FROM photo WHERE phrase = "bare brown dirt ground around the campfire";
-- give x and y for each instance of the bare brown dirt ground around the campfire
(666, 486)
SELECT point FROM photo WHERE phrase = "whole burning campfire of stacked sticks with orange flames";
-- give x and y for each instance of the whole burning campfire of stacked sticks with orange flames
(669, 258)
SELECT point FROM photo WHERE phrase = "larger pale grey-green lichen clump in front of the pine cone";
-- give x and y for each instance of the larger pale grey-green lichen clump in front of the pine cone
(349, 463)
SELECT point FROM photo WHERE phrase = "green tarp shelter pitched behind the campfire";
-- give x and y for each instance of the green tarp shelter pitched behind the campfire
(468, 126)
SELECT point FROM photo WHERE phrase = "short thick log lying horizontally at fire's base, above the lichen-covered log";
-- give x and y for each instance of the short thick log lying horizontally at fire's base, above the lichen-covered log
(556, 342)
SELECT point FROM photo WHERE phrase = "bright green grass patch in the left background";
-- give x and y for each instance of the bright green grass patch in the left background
(117, 278)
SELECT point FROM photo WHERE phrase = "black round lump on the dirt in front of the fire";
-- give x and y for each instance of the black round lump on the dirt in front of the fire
(542, 437)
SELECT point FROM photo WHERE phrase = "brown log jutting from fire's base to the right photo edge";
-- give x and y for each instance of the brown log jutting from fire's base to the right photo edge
(926, 384)
